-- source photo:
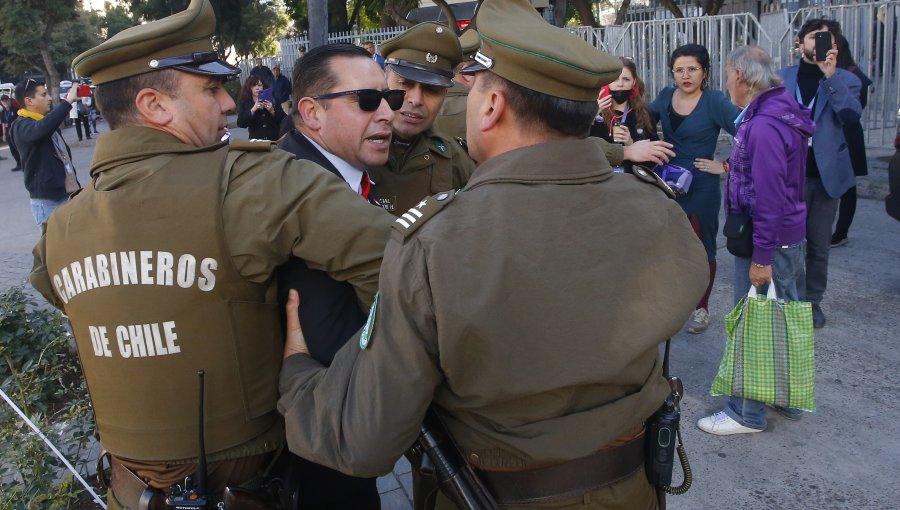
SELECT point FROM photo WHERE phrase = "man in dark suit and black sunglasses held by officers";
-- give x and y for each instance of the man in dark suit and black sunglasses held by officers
(341, 125)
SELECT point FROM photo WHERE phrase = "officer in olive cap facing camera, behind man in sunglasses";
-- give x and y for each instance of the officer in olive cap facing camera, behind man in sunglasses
(421, 161)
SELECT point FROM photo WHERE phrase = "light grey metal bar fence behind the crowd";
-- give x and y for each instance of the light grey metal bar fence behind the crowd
(871, 28)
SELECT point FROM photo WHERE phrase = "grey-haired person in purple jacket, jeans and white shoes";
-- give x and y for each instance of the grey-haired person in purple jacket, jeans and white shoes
(767, 169)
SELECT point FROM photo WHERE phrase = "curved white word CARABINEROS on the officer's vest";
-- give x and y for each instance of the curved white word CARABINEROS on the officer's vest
(144, 267)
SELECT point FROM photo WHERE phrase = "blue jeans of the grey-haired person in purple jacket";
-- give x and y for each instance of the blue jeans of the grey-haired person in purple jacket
(787, 265)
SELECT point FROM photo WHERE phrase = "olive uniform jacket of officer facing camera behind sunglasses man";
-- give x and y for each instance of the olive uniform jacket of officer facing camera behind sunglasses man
(431, 163)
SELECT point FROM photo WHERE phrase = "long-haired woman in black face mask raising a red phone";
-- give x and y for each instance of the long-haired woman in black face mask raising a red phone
(623, 105)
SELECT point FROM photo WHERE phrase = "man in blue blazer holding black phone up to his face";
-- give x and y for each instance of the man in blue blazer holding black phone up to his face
(832, 94)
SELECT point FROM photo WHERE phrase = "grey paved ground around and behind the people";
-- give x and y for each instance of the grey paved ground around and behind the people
(842, 457)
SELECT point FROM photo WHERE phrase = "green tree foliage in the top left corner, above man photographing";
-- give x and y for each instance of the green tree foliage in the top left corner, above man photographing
(43, 36)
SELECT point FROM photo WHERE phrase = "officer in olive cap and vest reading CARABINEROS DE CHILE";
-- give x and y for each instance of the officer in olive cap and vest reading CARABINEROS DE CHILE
(164, 262)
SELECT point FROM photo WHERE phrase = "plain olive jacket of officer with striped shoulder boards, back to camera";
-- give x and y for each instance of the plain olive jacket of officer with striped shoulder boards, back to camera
(529, 308)
